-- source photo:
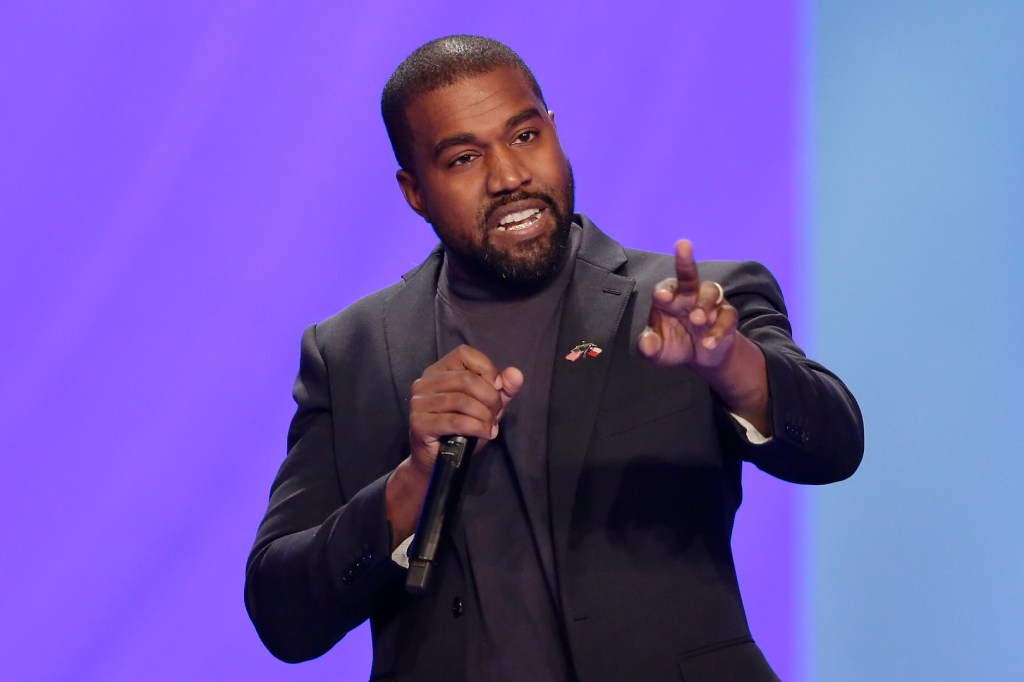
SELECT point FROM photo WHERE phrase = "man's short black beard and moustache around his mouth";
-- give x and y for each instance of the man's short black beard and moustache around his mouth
(532, 265)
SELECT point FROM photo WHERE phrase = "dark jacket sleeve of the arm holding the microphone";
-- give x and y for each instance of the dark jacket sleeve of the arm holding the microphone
(321, 564)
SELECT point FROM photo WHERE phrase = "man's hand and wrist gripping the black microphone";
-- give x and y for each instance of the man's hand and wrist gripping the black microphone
(462, 394)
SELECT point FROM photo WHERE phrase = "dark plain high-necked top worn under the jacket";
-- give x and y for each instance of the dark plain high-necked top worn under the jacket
(514, 612)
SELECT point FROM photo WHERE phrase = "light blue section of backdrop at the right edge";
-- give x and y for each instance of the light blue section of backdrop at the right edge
(919, 209)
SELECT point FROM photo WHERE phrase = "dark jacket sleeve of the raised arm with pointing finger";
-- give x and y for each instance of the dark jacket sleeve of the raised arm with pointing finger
(818, 429)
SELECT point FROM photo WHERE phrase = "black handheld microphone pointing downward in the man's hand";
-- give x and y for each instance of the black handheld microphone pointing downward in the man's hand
(443, 496)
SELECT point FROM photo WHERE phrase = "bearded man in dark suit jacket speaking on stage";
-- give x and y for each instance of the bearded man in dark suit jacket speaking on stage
(615, 395)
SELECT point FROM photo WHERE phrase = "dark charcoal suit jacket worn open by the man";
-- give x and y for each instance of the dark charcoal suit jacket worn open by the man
(645, 474)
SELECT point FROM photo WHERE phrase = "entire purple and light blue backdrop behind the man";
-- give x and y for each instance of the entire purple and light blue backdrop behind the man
(184, 188)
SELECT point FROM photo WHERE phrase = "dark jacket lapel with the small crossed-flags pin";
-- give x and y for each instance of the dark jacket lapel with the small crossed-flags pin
(594, 306)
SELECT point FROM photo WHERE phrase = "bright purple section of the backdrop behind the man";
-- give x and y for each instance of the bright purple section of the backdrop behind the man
(187, 187)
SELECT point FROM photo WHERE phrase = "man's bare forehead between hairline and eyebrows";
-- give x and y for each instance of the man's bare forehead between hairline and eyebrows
(477, 106)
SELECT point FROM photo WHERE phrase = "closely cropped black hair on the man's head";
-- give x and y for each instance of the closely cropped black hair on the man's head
(436, 65)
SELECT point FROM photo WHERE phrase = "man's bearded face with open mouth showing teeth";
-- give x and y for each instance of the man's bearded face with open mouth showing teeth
(491, 177)
